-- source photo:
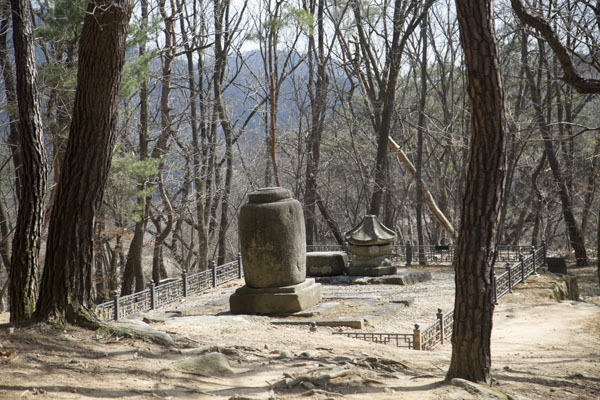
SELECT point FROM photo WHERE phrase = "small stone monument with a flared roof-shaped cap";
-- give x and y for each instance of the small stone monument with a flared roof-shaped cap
(370, 242)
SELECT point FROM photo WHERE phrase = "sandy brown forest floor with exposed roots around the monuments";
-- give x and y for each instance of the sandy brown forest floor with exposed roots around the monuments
(541, 349)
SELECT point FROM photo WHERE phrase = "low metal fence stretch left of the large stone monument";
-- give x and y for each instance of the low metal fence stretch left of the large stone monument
(170, 291)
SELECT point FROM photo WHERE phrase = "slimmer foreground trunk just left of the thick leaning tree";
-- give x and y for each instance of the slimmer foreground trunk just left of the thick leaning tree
(27, 239)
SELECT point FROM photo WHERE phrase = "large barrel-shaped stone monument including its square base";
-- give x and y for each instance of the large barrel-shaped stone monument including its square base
(273, 246)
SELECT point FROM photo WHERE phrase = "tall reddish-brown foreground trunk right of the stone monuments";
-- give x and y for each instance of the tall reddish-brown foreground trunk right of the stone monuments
(474, 299)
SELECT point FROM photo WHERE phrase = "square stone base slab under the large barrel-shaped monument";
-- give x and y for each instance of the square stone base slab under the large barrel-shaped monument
(281, 300)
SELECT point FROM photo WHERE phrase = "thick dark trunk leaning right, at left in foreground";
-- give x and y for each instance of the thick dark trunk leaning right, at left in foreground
(67, 279)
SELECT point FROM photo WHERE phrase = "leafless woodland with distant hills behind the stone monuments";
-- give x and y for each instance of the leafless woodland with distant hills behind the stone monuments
(219, 98)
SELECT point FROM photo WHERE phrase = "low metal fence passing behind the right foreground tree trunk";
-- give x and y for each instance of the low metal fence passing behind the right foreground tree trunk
(440, 331)
